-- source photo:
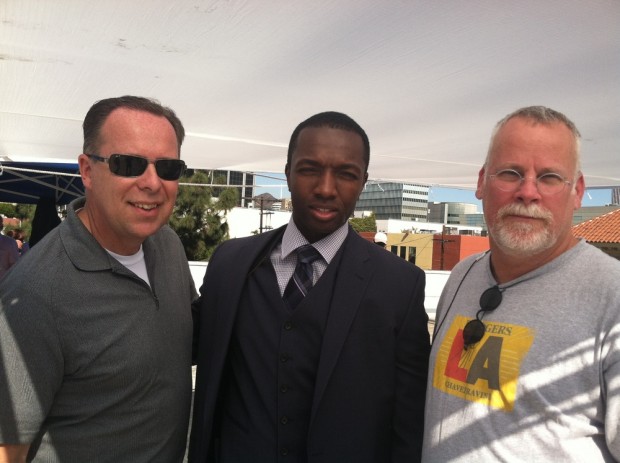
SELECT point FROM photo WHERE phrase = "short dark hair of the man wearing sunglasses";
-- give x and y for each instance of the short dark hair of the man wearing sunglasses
(99, 112)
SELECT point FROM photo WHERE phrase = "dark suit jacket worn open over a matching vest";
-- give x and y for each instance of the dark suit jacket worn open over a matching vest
(370, 387)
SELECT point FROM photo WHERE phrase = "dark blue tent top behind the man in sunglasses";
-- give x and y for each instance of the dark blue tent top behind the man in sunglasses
(26, 182)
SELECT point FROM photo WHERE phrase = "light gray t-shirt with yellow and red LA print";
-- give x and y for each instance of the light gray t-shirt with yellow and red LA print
(543, 384)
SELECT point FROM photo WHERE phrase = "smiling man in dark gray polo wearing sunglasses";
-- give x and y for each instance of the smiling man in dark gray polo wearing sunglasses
(95, 320)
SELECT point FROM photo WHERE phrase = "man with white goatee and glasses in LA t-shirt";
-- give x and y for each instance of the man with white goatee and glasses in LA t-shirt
(525, 364)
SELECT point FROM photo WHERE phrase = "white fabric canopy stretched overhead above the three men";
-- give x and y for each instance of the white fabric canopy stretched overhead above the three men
(427, 80)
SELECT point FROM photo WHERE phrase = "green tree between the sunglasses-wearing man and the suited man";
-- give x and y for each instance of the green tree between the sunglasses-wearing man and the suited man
(199, 217)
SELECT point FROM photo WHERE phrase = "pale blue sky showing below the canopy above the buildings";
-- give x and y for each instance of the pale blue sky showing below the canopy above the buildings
(275, 184)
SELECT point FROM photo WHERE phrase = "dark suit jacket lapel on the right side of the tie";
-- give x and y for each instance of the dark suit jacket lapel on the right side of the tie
(352, 277)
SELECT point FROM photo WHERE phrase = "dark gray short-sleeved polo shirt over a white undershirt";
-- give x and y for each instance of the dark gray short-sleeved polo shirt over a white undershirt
(96, 365)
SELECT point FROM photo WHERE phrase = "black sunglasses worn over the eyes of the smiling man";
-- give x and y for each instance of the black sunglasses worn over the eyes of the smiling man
(129, 165)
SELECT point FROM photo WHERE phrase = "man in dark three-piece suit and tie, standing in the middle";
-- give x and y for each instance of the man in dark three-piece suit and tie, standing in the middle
(341, 375)
